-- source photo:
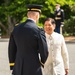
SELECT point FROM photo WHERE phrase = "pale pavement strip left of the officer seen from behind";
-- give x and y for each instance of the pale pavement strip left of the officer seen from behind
(4, 64)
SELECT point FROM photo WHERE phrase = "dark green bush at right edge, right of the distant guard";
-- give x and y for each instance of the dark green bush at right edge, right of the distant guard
(69, 27)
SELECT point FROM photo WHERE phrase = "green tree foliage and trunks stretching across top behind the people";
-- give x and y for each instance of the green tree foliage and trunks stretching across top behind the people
(13, 12)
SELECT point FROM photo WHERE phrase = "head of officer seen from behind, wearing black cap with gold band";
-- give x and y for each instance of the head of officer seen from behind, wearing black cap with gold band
(34, 11)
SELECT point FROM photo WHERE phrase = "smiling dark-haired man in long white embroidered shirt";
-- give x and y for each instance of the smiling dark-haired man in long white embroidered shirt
(58, 60)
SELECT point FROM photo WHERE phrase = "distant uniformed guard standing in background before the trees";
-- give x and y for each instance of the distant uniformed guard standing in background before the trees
(59, 18)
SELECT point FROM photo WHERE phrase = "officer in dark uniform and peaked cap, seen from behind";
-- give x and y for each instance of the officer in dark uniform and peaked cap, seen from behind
(27, 41)
